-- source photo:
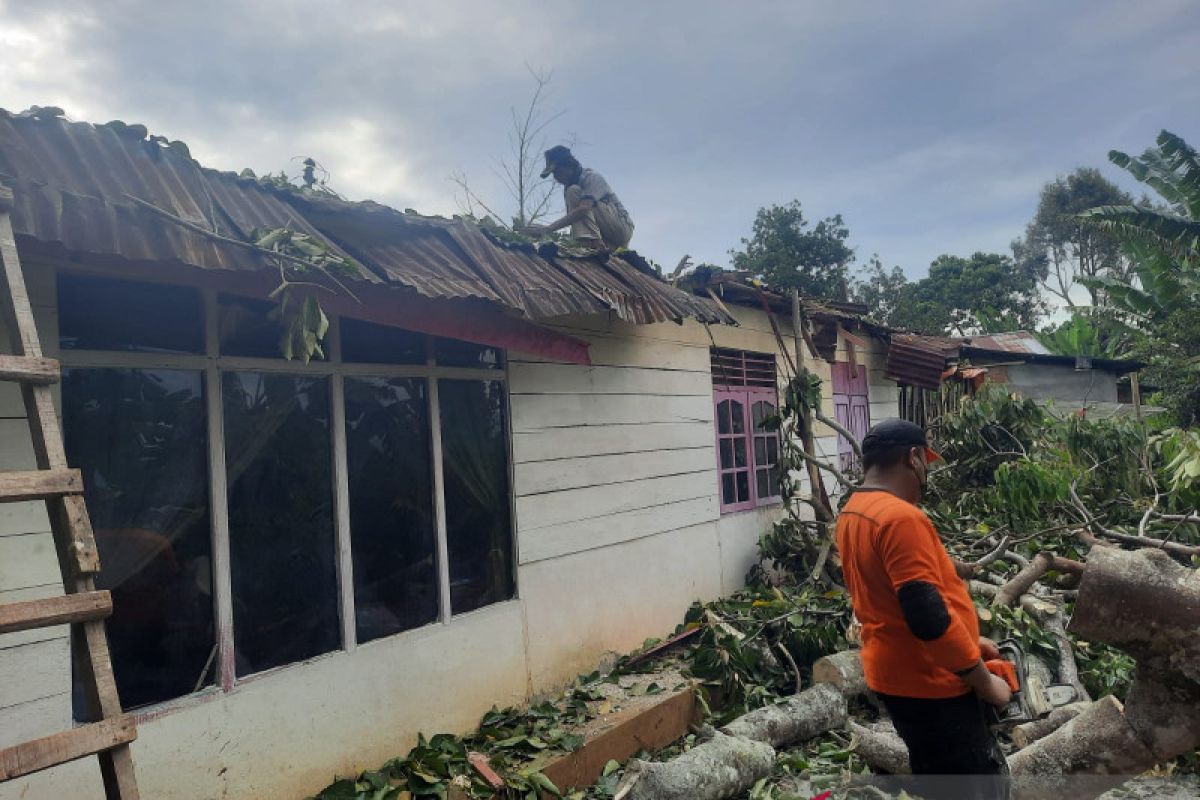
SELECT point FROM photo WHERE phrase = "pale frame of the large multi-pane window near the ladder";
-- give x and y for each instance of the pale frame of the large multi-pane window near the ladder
(212, 364)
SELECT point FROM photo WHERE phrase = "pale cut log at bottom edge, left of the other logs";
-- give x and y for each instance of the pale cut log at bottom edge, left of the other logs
(721, 768)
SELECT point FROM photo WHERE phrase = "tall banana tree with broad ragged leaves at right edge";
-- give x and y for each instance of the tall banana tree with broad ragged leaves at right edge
(1163, 246)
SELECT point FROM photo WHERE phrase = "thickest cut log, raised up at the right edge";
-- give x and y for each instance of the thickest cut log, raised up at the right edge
(1145, 604)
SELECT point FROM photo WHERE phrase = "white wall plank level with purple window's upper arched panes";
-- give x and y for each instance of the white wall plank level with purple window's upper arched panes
(541, 412)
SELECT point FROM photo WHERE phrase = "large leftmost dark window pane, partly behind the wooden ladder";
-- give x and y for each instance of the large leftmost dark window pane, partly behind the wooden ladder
(139, 437)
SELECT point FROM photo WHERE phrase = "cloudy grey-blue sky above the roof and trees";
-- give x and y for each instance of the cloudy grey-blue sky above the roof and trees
(931, 127)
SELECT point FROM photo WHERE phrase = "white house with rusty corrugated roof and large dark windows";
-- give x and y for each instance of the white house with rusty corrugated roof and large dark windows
(511, 466)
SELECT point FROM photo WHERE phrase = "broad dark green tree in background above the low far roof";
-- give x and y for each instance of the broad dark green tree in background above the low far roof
(987, 293)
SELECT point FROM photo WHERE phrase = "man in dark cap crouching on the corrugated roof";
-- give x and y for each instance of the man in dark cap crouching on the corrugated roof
(595, 214)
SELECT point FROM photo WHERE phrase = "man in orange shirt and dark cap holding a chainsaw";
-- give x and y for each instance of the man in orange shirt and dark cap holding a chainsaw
(922, 651)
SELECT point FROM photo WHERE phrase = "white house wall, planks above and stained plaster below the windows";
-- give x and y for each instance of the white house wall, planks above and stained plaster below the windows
(619, 532)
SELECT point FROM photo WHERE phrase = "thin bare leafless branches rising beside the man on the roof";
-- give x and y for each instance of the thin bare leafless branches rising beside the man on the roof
(520, 172)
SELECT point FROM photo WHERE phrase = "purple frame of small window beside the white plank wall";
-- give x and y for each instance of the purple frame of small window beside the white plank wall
(746, 392)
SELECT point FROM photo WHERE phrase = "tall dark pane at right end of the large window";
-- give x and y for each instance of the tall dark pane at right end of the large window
(476, 471)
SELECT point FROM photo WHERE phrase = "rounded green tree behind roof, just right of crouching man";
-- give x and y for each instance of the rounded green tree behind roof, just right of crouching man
(787, 254)
